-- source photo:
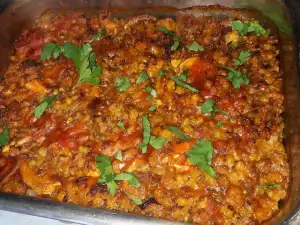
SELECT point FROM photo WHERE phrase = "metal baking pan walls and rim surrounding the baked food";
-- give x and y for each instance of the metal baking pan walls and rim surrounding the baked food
(285, 14)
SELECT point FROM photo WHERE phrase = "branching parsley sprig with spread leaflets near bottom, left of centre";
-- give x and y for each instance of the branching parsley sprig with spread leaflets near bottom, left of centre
(109, 177)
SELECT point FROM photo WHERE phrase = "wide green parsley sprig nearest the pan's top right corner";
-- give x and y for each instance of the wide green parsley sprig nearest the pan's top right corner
(247, 27)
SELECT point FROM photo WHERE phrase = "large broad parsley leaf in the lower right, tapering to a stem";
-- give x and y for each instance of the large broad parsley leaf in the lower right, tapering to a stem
(201, 154)
